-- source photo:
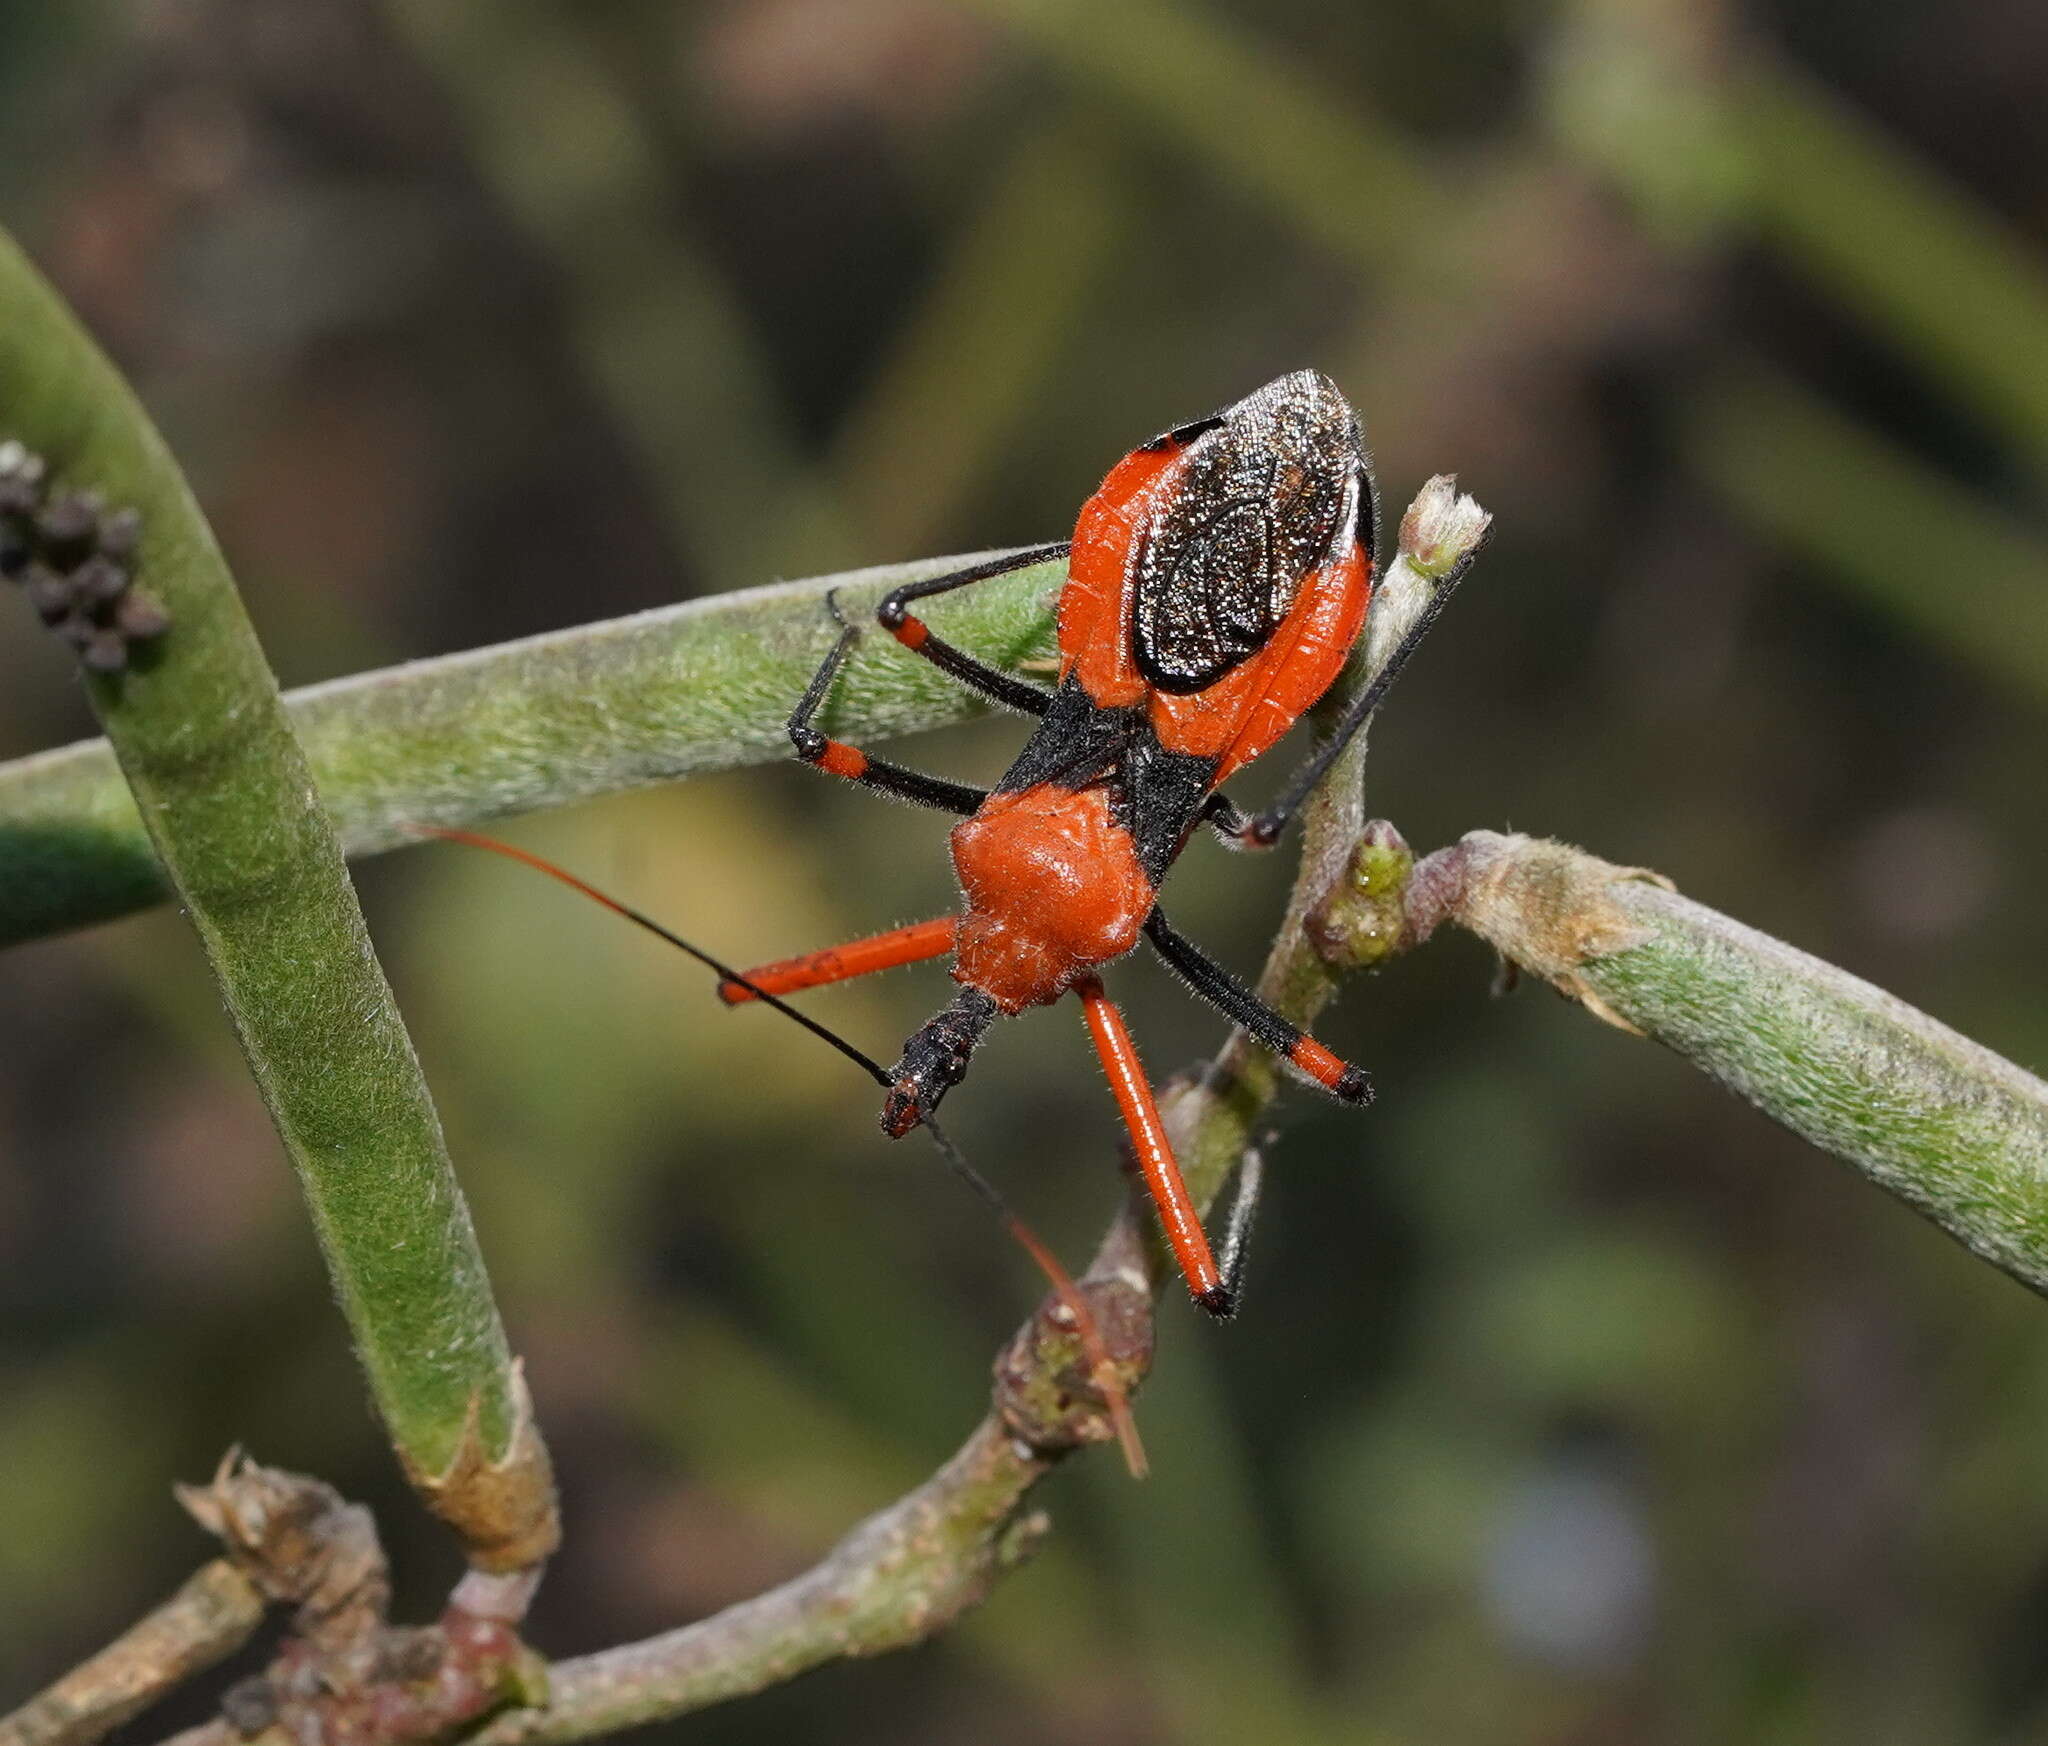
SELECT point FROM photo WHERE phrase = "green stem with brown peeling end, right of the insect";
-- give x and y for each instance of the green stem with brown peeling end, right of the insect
(1924, 1112)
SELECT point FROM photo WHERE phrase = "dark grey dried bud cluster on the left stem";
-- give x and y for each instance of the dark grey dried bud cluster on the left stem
(77, 564)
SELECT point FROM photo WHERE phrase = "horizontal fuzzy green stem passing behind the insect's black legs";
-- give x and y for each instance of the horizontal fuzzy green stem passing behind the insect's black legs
(525, 726)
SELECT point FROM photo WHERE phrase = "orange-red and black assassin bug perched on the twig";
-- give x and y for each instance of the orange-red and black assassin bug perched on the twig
(1215, 588)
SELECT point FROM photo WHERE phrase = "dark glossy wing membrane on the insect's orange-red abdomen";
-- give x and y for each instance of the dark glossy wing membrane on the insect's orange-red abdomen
(1265, 498)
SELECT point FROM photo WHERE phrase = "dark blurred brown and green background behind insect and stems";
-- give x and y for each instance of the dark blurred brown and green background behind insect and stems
(1574, 1403)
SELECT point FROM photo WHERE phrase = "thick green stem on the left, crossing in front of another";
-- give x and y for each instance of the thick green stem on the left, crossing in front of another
(234, 820)
